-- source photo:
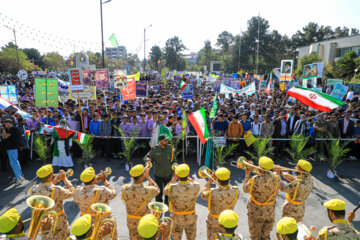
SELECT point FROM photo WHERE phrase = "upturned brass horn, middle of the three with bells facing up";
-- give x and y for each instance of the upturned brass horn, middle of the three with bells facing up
(100, 210)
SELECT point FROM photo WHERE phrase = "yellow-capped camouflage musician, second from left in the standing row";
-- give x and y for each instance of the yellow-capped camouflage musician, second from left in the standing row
(90, 193)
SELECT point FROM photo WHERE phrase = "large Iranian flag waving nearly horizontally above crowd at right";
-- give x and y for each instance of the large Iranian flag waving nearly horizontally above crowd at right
(314, 99)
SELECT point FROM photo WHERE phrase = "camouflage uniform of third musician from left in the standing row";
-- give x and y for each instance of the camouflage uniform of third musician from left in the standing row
(136, 197)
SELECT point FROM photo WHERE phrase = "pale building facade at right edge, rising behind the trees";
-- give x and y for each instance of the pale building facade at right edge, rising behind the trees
(331, 50)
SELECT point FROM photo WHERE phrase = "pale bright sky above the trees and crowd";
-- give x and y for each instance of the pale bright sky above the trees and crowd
(66, 26)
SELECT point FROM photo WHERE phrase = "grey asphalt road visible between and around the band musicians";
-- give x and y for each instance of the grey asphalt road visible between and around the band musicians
(346, 188)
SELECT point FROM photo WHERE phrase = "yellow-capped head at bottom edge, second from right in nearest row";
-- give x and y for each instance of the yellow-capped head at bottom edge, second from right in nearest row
(287, 228)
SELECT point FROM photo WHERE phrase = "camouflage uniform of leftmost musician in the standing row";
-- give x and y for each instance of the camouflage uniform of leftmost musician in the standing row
(58, 193)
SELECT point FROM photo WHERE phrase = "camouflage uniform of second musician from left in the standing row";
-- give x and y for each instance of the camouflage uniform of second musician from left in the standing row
(84, 197)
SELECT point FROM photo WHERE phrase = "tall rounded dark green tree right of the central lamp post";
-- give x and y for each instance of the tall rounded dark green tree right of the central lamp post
(172, 53)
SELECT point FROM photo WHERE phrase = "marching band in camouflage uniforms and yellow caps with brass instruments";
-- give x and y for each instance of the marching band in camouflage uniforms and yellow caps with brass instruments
(144, 216)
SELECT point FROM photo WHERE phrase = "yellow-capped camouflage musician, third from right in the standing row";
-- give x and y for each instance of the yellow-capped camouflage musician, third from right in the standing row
(221, 198)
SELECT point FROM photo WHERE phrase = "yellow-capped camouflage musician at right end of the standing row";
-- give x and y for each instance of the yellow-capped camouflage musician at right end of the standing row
(297, 190)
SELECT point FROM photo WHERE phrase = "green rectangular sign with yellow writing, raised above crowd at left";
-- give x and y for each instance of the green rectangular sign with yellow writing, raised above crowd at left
(46, 92)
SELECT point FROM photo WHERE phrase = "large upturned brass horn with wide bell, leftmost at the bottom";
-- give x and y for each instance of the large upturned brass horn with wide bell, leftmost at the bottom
(40, 206)
